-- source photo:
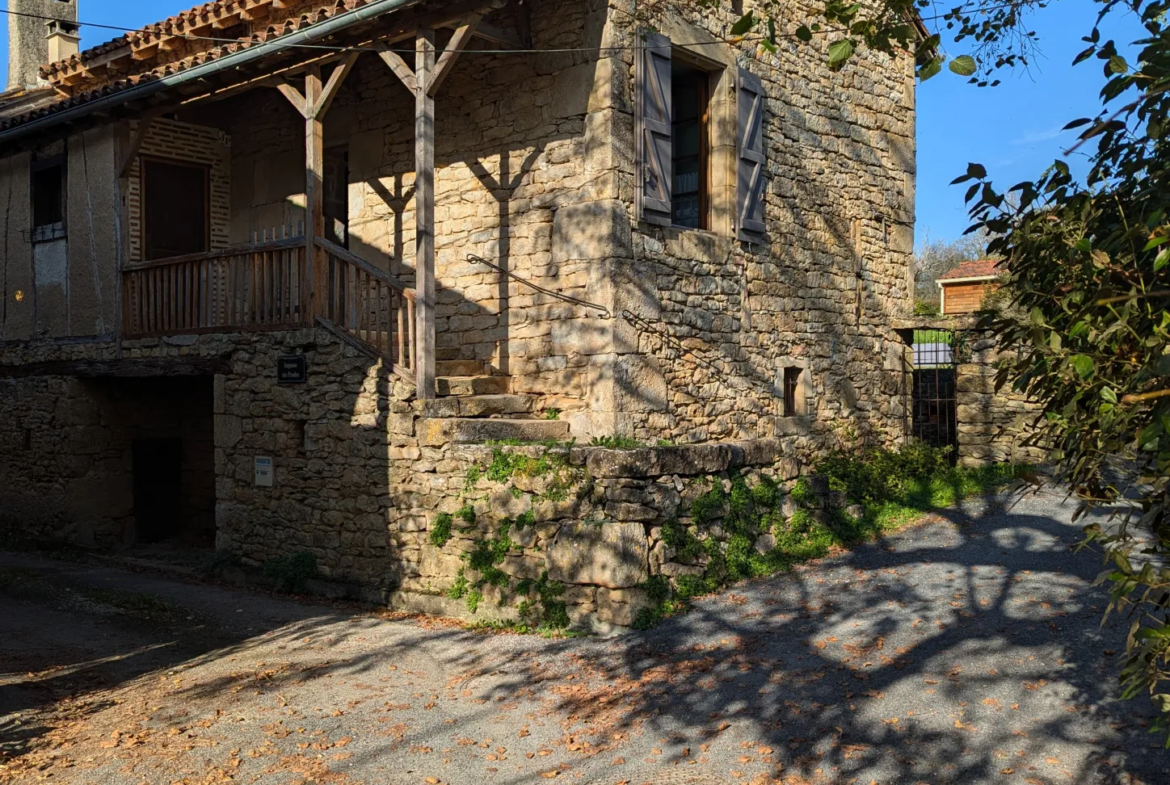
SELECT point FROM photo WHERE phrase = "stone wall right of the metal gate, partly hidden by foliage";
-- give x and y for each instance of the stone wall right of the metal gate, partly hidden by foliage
(993, 426)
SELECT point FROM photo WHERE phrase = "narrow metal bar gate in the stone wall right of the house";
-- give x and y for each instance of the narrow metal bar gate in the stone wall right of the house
(934, 418)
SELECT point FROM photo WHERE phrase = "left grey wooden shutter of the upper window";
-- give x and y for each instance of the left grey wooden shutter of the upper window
(655, 142)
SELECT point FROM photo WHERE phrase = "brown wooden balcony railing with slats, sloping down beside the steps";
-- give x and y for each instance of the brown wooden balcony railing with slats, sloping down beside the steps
(271, 287)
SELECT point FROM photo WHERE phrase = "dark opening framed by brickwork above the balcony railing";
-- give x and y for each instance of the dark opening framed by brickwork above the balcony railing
(175, 210)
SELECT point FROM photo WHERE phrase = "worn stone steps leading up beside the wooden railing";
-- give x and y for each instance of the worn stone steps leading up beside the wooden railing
(476, 407)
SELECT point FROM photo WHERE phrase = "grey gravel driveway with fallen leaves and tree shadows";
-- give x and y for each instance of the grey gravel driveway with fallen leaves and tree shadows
(967, 650)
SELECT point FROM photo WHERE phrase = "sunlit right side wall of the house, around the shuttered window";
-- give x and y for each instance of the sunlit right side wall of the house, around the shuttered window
(718, 321)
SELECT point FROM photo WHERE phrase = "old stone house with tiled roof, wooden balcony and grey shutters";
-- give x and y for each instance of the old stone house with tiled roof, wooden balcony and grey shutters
(273, 270)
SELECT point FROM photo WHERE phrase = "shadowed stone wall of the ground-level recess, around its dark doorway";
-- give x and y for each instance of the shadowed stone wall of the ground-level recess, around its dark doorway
(67, 451)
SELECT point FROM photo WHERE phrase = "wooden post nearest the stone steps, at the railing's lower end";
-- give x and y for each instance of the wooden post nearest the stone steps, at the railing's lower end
(425, 212)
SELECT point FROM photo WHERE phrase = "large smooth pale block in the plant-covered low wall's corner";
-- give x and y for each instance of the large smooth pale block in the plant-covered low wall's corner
(611, 555)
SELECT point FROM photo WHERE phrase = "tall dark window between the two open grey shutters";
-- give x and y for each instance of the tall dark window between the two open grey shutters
(691, 99)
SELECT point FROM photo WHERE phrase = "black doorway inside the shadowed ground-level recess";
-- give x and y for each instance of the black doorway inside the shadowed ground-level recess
(159, 490)
